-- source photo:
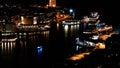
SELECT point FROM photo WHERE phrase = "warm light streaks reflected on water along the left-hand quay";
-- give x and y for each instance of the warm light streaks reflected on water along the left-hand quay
(9, 47)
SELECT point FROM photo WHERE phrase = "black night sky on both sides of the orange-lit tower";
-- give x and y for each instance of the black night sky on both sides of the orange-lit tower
(110, 7)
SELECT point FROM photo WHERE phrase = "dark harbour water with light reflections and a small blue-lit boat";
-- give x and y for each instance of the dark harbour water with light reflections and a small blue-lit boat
(48, 48)
